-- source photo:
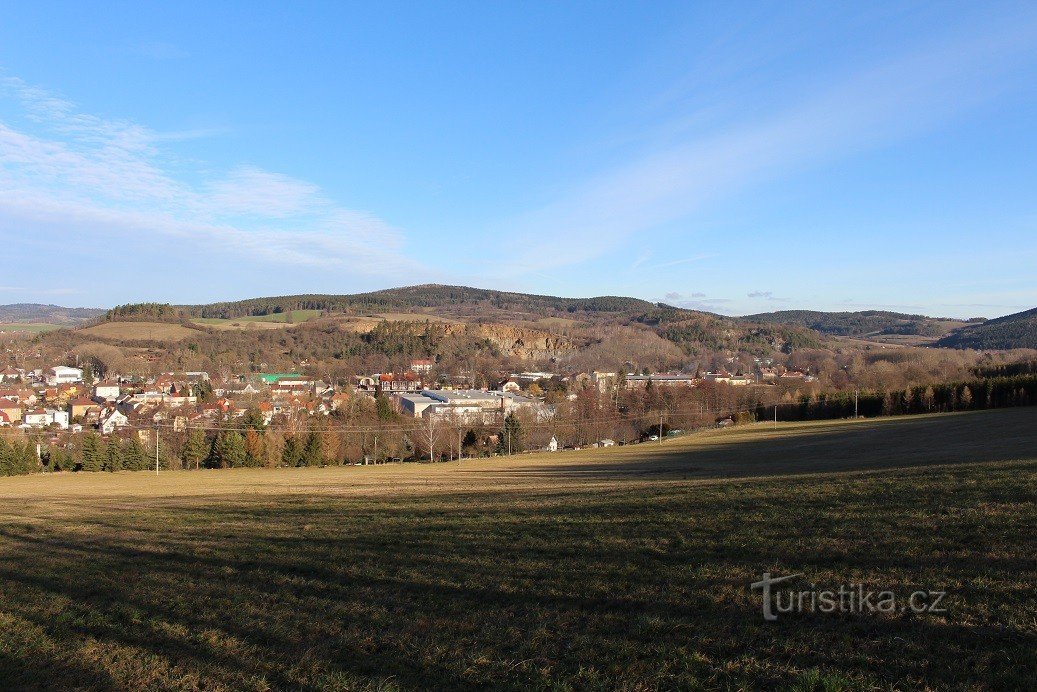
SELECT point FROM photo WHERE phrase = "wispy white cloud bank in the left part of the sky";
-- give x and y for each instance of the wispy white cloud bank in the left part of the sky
(71, 171)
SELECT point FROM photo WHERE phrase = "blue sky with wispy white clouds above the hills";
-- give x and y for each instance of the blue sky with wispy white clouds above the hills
(737, 158)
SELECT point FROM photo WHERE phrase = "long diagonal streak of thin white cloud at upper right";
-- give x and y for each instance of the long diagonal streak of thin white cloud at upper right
(909, 94)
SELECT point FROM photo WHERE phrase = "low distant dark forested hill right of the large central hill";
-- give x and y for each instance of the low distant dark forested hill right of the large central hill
(861, 324)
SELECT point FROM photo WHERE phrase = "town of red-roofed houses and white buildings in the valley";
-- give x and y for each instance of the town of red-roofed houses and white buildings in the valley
(66, 398)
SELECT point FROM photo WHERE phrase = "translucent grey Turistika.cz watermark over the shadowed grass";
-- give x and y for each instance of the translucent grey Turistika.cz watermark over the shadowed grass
(848, 599)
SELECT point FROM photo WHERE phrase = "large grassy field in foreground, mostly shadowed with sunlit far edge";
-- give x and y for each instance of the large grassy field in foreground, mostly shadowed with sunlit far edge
(613, 569)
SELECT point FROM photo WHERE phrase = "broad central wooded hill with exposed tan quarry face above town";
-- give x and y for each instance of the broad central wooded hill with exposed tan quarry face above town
(456, 322)
